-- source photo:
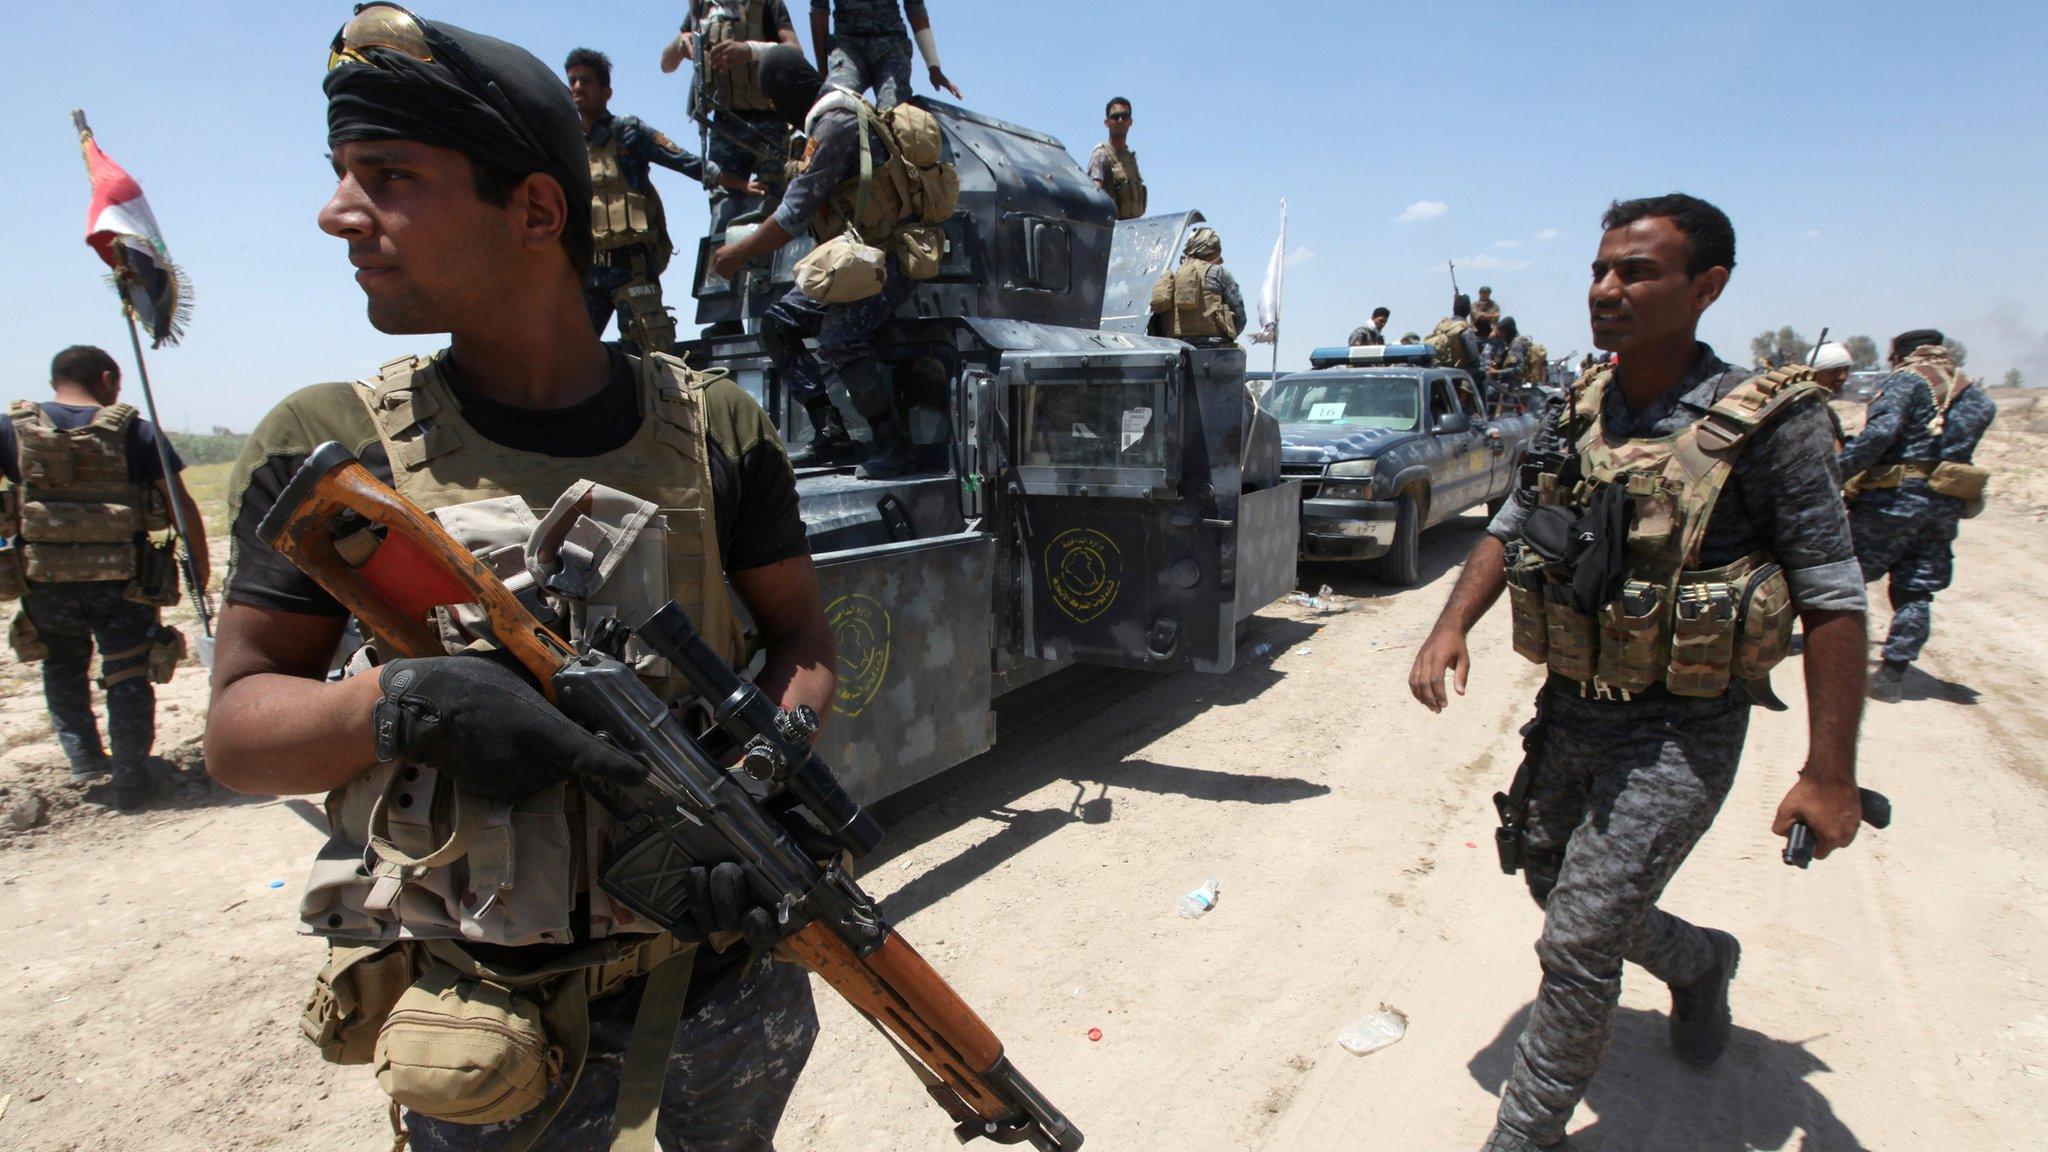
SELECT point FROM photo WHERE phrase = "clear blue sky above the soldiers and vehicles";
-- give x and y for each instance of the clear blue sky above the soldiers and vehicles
(1883, 163)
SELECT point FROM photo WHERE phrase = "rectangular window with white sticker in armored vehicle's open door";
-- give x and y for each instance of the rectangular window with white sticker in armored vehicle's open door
(1097, 425)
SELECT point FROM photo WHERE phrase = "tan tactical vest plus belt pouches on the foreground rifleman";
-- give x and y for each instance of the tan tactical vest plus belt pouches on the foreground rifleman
(417, 874)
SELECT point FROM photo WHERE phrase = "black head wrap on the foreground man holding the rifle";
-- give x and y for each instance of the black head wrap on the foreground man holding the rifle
(488, 99)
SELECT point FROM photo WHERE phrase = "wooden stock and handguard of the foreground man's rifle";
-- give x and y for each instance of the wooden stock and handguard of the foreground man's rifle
(390, 565)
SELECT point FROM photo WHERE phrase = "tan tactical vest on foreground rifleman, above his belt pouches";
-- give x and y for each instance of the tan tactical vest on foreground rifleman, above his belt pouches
(550, 841)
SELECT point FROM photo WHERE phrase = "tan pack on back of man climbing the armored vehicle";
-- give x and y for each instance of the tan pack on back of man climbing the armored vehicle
(910, 183)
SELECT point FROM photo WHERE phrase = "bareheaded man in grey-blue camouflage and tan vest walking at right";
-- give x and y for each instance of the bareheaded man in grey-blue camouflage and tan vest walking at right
(1635, 745)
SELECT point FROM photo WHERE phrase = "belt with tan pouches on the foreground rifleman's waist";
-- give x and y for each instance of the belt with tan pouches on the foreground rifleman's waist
(472, 1040)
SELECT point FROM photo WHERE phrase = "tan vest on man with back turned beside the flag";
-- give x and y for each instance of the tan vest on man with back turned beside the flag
(81, 513)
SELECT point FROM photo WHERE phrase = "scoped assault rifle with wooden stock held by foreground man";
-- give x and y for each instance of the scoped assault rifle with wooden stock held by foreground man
(392, 565)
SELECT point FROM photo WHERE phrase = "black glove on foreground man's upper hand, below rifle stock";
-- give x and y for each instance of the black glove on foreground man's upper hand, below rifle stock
(488, 729)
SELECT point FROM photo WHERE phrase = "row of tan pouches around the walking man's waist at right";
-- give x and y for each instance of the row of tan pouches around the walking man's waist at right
(1693, 634)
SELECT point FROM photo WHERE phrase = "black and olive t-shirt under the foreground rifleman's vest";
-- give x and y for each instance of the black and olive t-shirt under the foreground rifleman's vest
(753, 489)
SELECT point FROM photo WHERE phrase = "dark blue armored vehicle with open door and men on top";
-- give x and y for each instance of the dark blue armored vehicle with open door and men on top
(1082, 489)
